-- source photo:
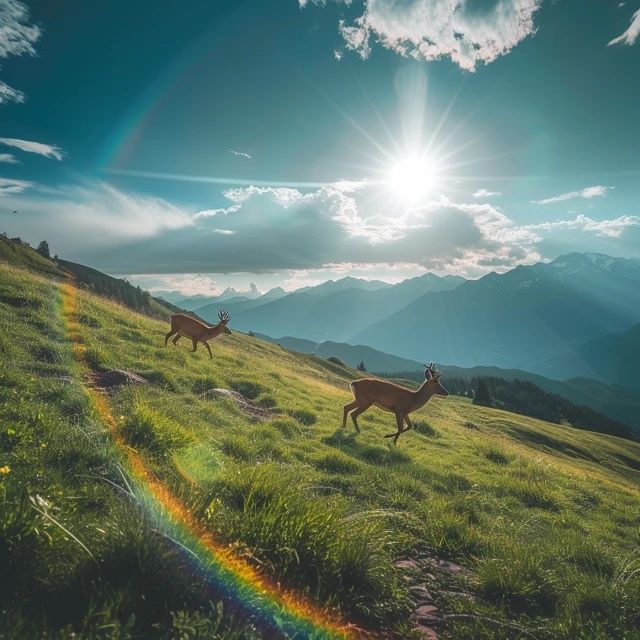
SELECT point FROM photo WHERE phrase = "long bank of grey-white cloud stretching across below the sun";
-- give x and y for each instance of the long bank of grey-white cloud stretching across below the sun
(265, 229)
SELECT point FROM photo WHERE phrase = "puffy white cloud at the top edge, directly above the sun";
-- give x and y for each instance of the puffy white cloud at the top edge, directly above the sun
(464, 31)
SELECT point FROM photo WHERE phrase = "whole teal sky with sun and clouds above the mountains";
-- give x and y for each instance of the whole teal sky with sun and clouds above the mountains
(292, 141)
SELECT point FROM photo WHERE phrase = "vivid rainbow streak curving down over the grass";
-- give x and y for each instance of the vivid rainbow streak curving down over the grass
(270, 605)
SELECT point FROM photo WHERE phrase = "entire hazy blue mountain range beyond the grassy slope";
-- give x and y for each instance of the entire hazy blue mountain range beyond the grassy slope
(571, 317)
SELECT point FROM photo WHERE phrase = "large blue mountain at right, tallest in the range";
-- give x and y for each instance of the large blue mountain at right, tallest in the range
(520, 319)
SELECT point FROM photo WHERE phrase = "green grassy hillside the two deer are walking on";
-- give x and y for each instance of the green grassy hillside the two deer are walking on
(120, 512)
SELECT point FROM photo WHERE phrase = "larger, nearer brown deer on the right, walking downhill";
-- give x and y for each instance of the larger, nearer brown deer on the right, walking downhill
(393, 398)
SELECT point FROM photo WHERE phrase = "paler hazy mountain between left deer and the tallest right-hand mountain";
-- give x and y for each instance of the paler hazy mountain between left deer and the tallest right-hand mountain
(333, 312)
